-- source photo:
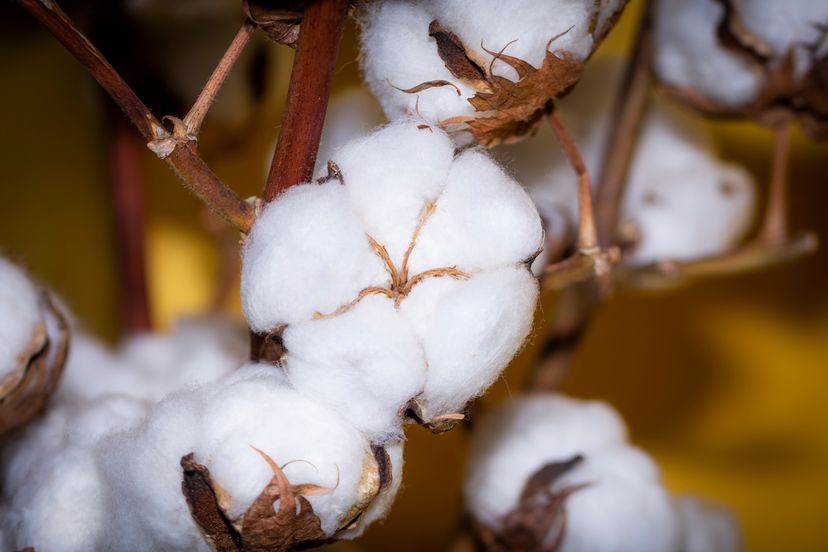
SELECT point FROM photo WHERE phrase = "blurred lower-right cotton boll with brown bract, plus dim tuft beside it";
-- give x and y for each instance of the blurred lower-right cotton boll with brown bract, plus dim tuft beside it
(559, 468)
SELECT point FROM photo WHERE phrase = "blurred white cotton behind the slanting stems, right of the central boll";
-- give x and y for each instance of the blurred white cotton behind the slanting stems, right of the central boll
(681, 201)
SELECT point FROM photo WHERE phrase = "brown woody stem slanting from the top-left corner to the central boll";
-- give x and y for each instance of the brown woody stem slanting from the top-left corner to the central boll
(183, 159)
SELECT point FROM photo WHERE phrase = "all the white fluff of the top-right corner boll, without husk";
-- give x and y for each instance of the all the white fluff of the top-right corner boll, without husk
(689, 54)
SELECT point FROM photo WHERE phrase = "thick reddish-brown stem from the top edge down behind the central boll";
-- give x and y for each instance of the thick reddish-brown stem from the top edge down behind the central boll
(307, 101)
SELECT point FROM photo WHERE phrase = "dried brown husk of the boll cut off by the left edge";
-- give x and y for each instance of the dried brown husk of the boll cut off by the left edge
(24, 392)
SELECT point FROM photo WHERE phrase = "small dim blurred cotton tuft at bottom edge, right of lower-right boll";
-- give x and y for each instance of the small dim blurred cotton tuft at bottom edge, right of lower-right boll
(706, 527)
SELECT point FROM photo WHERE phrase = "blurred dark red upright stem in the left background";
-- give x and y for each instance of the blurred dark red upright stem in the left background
(128, 199)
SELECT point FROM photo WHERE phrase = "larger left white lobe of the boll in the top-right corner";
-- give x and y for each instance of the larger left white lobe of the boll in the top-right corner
(688, 53)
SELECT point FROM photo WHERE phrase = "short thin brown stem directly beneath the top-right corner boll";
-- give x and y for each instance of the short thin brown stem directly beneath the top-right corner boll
(775, 225)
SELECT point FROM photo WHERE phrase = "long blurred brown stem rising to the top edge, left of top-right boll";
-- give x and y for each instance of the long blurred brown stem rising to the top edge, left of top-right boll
(628, 114)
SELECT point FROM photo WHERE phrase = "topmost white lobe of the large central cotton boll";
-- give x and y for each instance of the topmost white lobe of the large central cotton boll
(391, 176)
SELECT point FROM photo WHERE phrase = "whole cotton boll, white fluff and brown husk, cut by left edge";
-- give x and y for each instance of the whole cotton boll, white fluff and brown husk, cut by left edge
(34, 339)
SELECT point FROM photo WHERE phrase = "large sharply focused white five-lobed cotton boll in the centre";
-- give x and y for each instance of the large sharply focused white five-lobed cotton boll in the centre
(434, 245)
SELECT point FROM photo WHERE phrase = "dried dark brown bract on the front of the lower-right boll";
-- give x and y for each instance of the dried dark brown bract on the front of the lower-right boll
(538, 523)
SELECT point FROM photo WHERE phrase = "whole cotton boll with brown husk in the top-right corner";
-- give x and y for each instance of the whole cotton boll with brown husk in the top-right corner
(746, 58)
